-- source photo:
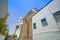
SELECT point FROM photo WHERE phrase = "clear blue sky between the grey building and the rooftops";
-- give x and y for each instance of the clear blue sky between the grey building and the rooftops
(19, 8)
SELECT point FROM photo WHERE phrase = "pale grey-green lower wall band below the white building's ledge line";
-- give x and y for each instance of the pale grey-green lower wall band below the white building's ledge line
(47, 36)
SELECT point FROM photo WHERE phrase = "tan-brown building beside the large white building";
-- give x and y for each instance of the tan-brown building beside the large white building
(26, 30)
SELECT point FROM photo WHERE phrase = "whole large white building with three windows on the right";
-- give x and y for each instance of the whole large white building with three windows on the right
(46, 23)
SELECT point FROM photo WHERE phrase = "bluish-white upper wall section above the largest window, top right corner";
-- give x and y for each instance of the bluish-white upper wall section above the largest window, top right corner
(54, 6)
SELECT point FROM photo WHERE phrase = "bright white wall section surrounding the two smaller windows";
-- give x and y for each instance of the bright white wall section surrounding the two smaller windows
(45, 13)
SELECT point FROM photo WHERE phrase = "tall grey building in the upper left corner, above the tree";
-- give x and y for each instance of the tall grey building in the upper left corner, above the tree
(3, 8)
